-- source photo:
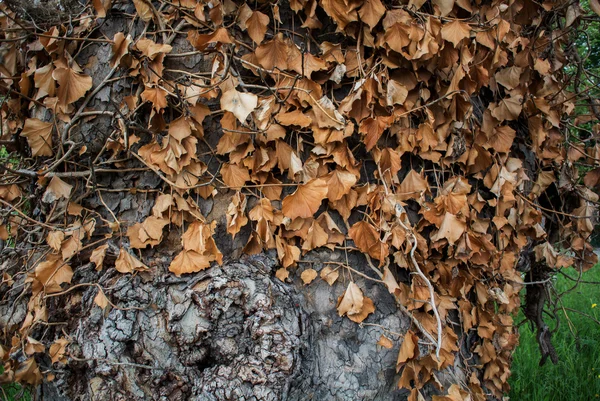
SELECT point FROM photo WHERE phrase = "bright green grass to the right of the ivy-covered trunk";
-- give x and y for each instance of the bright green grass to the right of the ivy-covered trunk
(576, 377)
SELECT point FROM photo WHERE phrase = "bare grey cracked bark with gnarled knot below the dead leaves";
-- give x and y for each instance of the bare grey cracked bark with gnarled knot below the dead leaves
(228, 333)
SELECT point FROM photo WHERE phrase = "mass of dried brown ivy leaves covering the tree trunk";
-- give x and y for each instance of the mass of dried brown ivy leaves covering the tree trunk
(430, 136)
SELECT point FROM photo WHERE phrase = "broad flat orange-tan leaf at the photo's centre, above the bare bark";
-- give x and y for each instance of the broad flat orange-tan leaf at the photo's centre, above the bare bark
(306, 200)
